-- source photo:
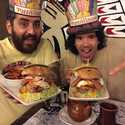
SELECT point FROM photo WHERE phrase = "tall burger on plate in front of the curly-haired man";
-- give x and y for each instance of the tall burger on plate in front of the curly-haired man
(86, 82)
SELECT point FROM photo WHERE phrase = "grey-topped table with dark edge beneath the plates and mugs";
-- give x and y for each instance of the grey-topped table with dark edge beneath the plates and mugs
(35, 114)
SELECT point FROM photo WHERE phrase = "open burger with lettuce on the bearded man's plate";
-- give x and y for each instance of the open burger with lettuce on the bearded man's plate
(39, 83)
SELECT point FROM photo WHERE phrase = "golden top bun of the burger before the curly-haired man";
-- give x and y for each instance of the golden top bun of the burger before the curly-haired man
(88, 73)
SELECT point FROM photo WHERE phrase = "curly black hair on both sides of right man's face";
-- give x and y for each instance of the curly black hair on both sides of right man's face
(70, 43)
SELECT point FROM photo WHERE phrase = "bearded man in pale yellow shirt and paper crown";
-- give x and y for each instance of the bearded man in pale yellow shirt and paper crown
(24, 43)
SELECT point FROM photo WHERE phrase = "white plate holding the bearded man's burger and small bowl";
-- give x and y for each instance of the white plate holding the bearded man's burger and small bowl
(14, 92)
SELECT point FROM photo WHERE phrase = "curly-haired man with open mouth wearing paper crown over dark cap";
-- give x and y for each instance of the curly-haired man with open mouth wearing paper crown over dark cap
(87, 45)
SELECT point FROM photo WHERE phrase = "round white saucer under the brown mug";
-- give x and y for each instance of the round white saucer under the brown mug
(65, 118)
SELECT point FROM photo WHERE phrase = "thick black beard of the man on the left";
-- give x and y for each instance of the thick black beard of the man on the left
(18, 42)
